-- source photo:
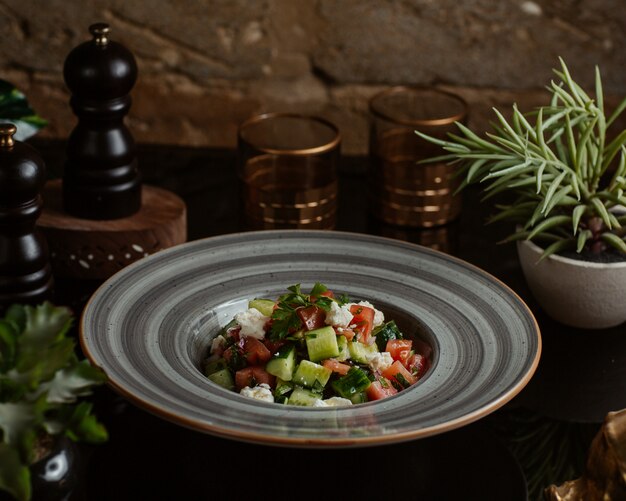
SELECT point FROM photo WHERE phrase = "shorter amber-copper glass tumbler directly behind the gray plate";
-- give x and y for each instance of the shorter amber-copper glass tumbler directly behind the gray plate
(288, 171)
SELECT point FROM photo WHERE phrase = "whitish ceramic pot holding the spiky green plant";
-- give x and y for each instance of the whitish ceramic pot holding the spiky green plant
(574, 292)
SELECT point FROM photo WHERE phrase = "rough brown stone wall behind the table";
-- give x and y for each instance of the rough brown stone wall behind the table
(206, 65)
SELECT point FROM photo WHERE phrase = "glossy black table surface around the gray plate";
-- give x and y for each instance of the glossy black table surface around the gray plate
(581, 377)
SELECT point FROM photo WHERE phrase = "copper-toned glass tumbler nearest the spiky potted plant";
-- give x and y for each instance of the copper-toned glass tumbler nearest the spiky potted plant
(402, 191)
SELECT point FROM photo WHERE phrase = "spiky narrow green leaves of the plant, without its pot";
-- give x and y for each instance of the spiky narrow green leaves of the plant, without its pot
(564, 179)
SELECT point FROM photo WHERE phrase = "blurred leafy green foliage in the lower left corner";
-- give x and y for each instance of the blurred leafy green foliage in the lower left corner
(41, 382)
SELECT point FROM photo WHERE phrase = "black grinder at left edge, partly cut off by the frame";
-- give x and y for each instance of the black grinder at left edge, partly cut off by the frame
(25, 273)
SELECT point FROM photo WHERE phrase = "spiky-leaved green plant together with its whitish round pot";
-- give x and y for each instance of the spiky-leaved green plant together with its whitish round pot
(564, 182)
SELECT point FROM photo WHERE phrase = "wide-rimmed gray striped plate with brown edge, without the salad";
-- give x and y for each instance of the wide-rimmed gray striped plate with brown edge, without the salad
(149, 326)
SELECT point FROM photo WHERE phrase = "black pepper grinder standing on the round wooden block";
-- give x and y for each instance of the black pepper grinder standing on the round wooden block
(100, 180)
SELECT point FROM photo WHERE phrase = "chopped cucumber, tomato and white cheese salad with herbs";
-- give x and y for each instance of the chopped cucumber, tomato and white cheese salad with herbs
(314, 349)
